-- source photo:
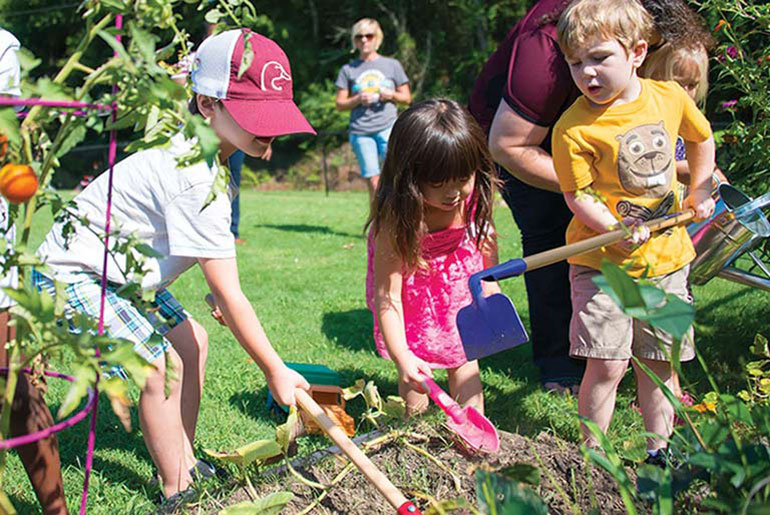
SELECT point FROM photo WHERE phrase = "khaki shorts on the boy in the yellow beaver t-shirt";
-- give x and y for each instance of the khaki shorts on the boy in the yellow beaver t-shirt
(599, 329)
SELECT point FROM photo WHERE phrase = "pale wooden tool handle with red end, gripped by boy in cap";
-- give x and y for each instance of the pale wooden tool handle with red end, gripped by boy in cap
(359, 459)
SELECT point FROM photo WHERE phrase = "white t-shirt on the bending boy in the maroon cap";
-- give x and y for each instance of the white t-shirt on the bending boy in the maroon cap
(158, 202)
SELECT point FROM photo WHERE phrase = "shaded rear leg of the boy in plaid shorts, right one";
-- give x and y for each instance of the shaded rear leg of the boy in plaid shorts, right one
(191, 342)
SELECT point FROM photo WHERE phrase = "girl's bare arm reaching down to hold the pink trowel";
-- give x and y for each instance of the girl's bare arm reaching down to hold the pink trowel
(389, 311)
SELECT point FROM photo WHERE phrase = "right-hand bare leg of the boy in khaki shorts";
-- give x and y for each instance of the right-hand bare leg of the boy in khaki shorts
(657, 412)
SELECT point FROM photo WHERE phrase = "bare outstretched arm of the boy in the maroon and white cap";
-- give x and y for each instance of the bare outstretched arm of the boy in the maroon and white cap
(222, 277)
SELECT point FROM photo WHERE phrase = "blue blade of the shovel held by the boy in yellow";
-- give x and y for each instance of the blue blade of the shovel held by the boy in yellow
(490, 325)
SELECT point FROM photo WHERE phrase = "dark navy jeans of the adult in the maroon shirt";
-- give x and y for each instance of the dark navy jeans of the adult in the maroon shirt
(542, 218)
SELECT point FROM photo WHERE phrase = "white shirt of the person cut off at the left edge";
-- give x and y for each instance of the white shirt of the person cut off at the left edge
(9, 85)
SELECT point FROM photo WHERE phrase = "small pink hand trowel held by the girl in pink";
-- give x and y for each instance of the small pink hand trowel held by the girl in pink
(475, 429)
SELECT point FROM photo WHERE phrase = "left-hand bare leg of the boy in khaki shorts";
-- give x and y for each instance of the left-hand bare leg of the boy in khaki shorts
(598, 390)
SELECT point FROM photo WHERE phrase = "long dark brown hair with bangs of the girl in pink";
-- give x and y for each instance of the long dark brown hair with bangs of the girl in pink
(432, 142)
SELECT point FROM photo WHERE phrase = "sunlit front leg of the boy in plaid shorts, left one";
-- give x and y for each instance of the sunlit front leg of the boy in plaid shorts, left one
(163, 428)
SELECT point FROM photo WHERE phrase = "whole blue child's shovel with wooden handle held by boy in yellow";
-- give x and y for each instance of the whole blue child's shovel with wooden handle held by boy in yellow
(490, 324)
